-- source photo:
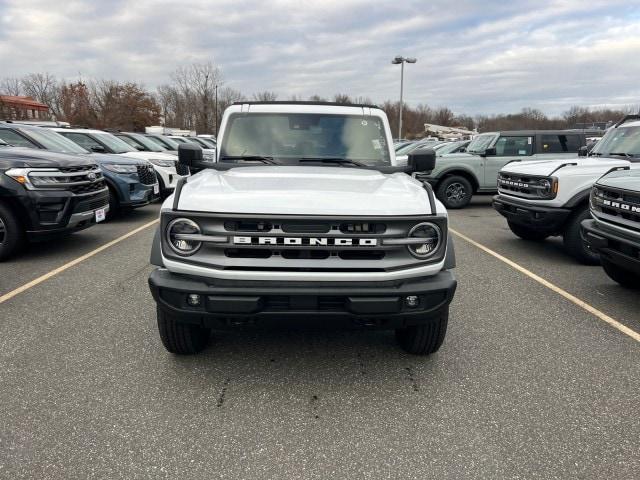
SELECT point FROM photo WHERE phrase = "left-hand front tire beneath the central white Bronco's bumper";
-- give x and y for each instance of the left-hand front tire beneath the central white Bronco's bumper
(181, 338)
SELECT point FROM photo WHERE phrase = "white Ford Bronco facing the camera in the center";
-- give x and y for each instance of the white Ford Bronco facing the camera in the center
(304, 219)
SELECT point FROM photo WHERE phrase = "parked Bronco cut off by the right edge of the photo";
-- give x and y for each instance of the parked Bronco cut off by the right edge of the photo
(614, 231)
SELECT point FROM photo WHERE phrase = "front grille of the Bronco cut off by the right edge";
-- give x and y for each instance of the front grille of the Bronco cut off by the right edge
(617, 206)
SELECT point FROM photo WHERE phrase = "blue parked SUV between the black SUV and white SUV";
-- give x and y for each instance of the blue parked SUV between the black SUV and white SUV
(132, 183)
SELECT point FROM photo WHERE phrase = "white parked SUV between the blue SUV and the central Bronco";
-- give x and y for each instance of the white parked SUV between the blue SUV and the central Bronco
(165, 165)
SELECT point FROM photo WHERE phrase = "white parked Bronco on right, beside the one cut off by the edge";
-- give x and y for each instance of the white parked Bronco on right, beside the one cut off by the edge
(551, 198)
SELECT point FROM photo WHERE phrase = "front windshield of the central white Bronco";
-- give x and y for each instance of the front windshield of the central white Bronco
(307, 135)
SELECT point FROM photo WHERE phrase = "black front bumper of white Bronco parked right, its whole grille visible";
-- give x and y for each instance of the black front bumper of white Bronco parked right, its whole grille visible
(539, 218)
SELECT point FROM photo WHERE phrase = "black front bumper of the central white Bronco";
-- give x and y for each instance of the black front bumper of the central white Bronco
(230, 303)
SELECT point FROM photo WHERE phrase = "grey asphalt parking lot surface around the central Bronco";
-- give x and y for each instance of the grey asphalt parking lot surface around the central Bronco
(526, 385)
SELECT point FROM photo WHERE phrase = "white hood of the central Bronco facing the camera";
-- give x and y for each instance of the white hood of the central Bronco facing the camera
(301, 190)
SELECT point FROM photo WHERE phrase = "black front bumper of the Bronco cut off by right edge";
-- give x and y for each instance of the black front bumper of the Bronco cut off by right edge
(619, 249)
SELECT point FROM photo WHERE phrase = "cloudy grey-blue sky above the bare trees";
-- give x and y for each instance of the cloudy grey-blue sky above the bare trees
(473, 56)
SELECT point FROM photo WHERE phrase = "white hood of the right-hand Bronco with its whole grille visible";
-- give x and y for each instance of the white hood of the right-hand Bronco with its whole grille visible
(584, 166)
